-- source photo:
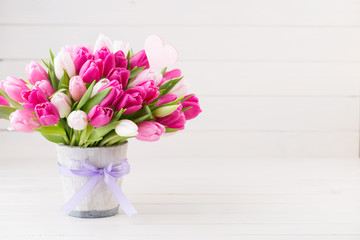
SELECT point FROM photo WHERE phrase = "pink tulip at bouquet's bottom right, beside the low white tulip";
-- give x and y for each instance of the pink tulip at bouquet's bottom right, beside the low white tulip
(149, 131)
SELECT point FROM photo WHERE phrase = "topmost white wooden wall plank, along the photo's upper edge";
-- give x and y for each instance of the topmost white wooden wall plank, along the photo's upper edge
(200, 12)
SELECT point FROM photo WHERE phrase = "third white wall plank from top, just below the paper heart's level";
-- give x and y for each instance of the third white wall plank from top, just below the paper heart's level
(254, 78)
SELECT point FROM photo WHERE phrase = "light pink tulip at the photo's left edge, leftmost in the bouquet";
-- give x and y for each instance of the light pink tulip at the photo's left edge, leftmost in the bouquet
(13, 88)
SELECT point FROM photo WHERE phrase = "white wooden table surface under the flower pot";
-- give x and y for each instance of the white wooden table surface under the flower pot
(195, 198)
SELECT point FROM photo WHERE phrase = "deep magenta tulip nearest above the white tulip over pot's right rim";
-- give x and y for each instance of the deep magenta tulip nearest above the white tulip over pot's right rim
(131, 99)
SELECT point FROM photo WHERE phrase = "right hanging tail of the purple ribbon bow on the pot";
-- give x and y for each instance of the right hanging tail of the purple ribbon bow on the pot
(120, 196)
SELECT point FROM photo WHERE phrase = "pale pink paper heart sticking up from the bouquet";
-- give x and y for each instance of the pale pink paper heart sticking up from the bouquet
(159, 56)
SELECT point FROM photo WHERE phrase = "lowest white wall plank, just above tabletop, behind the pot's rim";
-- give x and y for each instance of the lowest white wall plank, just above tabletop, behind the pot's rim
(212, 143)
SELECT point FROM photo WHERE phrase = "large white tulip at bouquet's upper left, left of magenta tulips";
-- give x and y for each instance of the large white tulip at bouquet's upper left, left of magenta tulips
(64, 61)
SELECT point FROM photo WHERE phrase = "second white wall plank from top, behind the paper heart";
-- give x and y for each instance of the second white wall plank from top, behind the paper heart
(214, 43)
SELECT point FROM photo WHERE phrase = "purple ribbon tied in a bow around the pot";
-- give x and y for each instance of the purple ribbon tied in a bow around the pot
(108, 174)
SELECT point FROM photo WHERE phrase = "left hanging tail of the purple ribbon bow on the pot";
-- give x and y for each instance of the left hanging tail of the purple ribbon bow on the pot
(78, 197)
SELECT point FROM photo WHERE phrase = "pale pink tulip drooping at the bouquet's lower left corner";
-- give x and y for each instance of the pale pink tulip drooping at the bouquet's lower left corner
(23, 121)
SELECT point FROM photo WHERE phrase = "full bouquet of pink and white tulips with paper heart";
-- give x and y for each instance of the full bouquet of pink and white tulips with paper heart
(100, 95)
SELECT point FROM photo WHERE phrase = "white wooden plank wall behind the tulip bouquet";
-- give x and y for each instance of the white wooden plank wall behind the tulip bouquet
(275, 77)
